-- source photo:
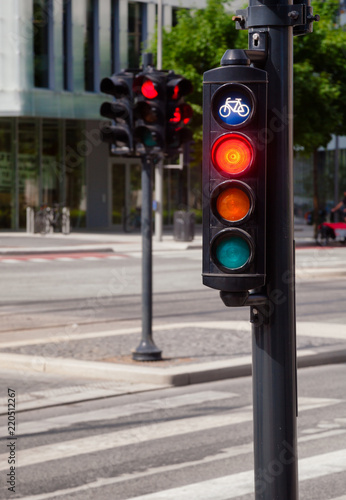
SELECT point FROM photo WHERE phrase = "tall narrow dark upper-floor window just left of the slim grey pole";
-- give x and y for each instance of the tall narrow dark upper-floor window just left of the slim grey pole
(135, 31)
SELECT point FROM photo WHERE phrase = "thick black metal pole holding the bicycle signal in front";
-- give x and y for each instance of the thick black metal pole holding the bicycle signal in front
(274, 335)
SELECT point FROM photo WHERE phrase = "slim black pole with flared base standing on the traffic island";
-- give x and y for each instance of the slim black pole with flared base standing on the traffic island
(147, 350)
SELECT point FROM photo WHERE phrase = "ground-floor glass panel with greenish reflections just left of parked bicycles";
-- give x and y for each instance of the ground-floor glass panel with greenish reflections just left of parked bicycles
(28, 168)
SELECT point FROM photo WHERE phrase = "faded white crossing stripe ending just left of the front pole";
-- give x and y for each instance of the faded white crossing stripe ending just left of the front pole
(124, 411)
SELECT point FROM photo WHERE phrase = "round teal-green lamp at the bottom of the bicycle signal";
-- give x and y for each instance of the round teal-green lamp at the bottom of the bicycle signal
(232, 252)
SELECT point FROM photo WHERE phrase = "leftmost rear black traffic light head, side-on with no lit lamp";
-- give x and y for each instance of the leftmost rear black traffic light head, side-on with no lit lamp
(119, 134)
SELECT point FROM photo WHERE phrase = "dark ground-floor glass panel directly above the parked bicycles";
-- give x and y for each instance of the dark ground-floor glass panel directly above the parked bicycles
(51, 166)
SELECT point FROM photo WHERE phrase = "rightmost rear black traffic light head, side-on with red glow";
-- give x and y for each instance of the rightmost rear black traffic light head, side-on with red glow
(178, 112)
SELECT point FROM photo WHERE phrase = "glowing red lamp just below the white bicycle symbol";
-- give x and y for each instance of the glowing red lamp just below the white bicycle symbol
(232, 153)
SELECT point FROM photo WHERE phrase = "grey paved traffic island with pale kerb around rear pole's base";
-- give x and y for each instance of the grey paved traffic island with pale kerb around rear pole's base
(193, 352)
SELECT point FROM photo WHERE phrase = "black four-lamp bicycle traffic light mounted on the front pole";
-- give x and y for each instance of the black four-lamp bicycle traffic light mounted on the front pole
(234, 176)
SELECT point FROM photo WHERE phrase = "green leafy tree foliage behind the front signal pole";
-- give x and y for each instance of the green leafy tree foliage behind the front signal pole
(201, 37)
